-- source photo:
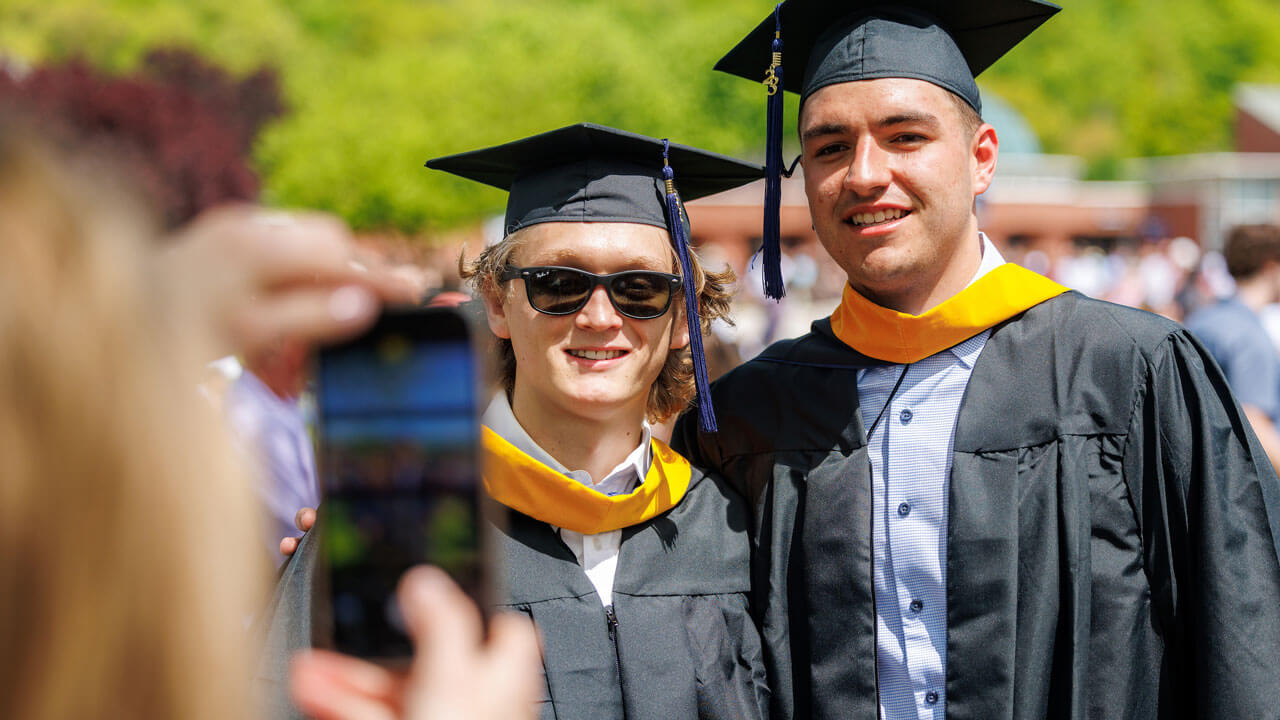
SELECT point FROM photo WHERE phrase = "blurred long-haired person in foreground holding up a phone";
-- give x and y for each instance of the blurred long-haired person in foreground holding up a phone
(127, 530)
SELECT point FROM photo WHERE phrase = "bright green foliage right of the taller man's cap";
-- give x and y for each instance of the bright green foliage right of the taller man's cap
(1123, 79)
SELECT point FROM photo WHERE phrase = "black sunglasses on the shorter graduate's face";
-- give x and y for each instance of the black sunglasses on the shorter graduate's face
(641, 295)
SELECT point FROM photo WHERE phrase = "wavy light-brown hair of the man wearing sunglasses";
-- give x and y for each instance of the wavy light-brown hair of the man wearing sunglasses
(674, 390)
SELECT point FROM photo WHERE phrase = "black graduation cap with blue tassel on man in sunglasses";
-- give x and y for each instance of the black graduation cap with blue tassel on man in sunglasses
(591, 174)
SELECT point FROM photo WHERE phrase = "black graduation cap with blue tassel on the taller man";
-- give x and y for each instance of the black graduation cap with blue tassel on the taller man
(947, 43)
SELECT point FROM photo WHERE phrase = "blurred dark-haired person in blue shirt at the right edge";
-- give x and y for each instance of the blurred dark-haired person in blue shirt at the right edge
(1235, 334)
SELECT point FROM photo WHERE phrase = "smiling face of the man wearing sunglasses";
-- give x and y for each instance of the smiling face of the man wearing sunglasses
(595, 363)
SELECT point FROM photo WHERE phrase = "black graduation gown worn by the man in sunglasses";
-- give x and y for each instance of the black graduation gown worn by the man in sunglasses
(684, 645)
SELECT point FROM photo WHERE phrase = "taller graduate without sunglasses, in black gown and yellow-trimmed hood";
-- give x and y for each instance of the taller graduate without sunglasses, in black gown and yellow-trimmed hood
(981, 496)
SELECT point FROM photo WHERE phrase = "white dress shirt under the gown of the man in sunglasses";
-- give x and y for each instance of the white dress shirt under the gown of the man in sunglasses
(598, 554)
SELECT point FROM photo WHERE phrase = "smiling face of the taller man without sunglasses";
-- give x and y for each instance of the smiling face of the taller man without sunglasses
(892, 171)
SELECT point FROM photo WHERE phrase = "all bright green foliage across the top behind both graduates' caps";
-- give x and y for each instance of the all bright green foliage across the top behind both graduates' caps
(377, 88)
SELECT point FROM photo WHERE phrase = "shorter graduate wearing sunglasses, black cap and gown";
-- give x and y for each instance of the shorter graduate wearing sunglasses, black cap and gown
(633, 564)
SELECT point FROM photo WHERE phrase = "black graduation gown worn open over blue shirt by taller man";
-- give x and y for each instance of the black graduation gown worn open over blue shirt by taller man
(1112, 541)
